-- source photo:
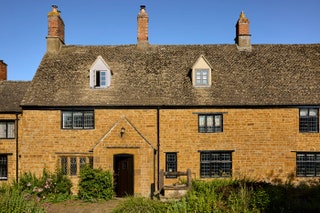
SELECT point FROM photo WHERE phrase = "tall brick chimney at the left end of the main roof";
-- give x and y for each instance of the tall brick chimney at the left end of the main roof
(55, 38)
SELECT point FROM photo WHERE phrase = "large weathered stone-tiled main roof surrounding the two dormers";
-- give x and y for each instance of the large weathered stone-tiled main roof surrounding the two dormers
(160, 75)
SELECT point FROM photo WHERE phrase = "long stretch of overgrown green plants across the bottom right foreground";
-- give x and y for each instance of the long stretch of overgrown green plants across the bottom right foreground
(226, 195)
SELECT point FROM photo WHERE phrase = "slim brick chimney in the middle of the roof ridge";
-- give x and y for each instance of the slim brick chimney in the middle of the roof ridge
(143, 20)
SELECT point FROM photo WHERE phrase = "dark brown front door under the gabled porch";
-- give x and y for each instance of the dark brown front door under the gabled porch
(123, 179)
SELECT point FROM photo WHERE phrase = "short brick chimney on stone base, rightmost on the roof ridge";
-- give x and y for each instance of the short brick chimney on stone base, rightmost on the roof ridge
(242, 33)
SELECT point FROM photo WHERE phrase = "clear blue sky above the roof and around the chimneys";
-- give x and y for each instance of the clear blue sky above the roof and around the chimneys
(112, 22)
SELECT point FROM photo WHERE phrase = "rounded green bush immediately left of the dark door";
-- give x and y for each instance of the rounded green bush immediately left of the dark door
(95, 184)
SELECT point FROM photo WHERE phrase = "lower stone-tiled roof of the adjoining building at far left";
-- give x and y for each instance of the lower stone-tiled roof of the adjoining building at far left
(11, 94)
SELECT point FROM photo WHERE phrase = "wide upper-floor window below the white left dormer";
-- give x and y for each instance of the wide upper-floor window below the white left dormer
(77, 120)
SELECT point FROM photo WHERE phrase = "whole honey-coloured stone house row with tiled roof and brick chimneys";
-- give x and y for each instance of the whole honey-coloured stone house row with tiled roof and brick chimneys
(221, 110)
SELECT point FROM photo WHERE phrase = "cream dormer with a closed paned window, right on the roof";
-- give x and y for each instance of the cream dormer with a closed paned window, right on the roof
(201, 72)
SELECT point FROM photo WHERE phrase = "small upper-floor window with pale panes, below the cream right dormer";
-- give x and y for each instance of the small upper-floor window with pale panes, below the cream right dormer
(210, 123)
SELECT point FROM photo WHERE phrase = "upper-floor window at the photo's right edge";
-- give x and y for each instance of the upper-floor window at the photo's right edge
(308, 120)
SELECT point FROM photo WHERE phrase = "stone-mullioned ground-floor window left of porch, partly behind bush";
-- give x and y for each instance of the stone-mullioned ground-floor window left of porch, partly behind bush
(71, 165)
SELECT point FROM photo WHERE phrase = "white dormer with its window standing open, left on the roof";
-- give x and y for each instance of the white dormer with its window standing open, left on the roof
(100, 74)
